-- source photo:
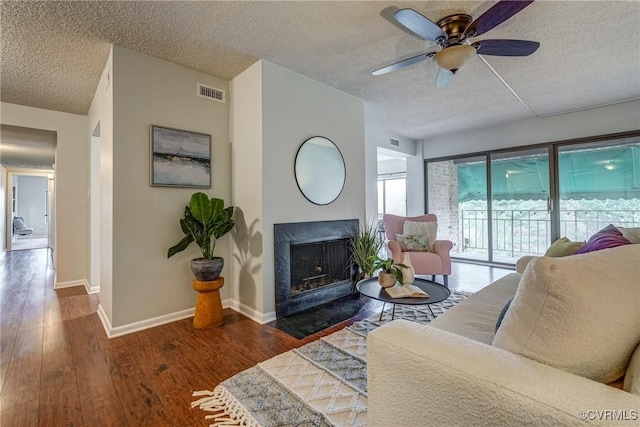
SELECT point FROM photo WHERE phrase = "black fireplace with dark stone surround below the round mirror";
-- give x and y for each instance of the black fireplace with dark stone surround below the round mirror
(311, 263)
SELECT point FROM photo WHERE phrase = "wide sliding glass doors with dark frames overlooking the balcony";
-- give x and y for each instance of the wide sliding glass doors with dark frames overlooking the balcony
(500, 205)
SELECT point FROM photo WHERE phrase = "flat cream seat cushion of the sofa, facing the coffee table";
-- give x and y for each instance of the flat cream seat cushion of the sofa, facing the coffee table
(475, 317)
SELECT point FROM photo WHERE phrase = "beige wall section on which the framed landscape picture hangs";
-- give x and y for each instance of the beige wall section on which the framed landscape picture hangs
(150, 91)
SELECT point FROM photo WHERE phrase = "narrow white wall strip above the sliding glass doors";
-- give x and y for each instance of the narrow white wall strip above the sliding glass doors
(596, 121)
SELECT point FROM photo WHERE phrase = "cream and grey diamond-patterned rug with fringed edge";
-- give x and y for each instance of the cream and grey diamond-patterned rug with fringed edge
(323, 383)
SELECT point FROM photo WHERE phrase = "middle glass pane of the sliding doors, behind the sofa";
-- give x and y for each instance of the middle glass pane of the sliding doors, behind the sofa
(521, 223)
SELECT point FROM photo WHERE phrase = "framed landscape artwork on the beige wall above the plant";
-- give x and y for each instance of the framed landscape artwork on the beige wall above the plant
(180, 158)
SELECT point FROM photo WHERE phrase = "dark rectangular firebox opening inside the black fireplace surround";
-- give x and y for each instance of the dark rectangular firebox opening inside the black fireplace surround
(319, 264)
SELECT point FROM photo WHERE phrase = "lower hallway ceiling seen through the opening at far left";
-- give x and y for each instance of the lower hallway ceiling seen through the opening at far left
(27, 148)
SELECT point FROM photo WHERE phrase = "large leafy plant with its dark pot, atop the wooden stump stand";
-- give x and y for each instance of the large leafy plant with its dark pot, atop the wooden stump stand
(205, 221)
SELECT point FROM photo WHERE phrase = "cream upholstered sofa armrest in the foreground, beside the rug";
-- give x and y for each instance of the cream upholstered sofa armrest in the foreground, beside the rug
(419, 375)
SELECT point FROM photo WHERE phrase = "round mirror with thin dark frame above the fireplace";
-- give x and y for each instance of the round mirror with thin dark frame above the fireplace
(320, 170)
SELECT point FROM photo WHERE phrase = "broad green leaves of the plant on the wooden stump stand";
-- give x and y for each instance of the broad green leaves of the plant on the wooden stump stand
(205, 220)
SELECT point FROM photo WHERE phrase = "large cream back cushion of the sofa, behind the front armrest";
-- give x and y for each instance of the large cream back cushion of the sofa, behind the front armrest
(577, 313)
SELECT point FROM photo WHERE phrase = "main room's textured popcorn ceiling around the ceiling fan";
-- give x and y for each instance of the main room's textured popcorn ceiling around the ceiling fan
(52, 54)
